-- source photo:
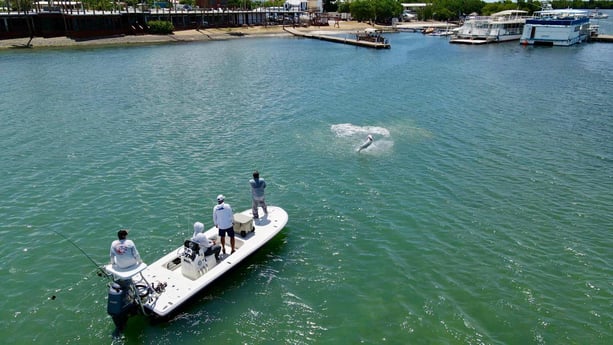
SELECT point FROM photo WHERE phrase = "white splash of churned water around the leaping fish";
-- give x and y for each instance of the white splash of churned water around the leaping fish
(356, 135)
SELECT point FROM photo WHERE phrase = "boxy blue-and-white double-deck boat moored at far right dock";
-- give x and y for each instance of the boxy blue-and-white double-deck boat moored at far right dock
(550, 27)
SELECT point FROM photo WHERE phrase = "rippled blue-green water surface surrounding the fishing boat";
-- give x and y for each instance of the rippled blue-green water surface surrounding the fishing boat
(482, 213)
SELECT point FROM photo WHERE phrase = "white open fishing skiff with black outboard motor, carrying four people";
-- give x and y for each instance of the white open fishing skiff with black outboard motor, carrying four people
(159, 288)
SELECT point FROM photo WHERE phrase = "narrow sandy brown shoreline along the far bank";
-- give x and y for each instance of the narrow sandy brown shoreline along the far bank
(194, 35)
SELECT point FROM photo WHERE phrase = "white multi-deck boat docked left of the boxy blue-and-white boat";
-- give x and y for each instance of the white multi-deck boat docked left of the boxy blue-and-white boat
(499, 27)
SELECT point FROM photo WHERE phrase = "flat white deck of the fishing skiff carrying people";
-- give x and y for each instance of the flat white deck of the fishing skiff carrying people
(180, 288)
